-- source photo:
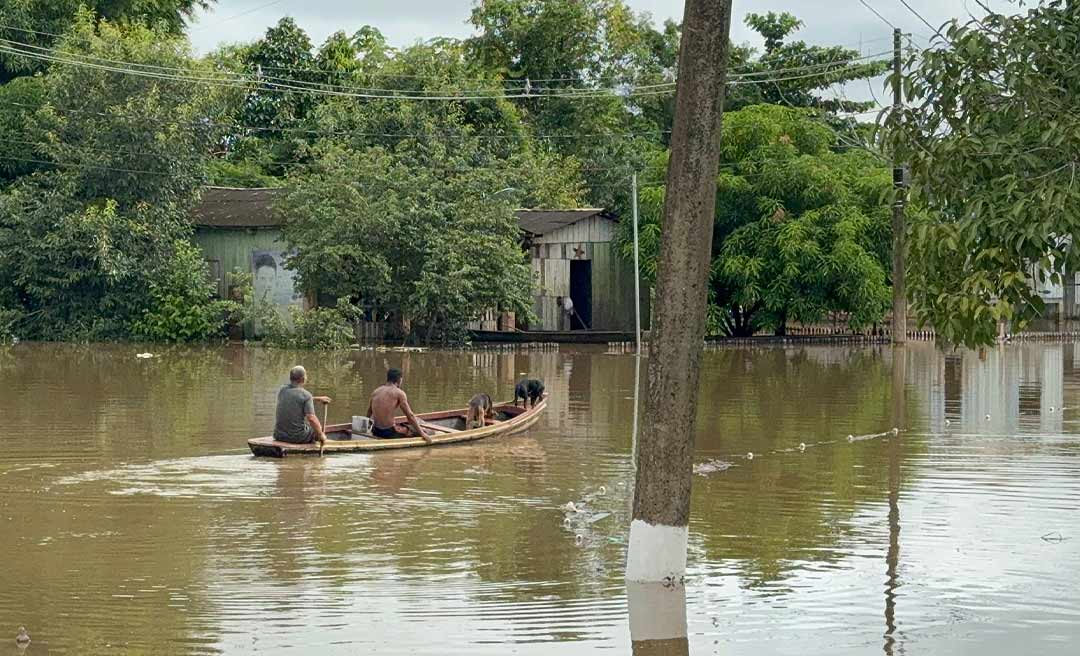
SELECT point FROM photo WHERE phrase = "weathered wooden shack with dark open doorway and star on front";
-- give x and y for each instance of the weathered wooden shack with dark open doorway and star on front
(574, 255)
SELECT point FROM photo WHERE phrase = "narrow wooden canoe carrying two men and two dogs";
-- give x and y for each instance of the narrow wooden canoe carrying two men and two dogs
(444, 427)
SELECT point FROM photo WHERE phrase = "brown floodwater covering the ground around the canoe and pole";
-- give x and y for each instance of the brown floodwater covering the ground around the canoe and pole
(134, 521)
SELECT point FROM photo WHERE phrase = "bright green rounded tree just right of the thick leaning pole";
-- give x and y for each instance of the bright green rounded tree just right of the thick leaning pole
(801, 232)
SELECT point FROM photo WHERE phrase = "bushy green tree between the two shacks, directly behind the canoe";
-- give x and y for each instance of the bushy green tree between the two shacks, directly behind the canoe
(429, 248)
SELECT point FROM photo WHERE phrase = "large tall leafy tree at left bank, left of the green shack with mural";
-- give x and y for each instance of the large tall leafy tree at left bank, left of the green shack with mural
(84, 239)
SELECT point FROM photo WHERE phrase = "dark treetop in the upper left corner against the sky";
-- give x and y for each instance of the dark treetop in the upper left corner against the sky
(36, 23)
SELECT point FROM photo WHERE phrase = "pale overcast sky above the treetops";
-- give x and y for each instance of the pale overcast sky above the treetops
(404, 22)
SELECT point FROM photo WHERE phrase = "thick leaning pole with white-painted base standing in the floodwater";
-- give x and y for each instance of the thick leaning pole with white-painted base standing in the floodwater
(658, 534)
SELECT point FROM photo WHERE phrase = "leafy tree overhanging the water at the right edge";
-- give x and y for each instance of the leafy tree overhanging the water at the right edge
(991, 135)
